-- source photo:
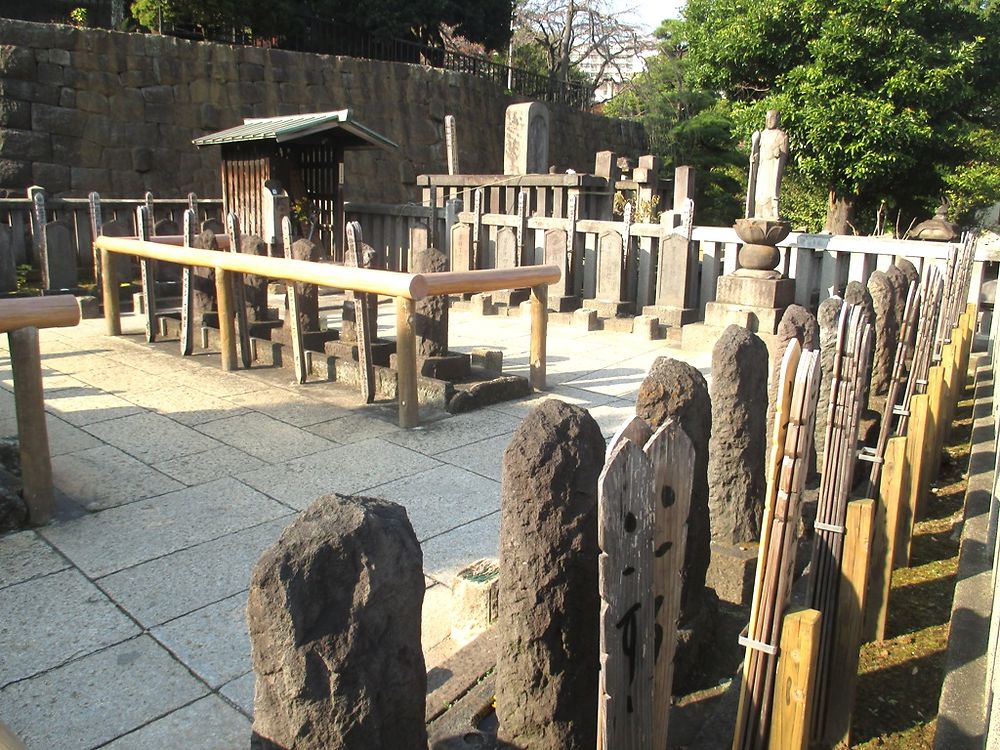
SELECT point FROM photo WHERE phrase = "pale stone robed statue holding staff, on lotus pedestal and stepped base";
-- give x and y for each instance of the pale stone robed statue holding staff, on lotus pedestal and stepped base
(755, 295)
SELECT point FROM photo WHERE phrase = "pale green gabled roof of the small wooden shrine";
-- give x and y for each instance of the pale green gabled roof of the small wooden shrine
(293, 127)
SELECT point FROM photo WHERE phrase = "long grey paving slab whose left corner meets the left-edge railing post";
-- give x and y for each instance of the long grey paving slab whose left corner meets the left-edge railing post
(147, 529)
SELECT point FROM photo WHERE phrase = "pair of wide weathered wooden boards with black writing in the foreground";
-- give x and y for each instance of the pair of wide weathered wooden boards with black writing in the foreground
(644, 496)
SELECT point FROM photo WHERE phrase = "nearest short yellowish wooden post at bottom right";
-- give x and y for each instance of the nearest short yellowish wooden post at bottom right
(796, 681)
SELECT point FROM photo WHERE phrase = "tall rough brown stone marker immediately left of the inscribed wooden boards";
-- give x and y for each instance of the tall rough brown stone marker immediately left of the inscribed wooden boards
(547, 671)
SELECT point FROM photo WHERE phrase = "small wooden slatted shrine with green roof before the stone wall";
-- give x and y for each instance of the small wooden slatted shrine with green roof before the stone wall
(293, 164)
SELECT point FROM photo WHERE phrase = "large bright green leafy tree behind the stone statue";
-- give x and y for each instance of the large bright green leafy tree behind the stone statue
(885, 101)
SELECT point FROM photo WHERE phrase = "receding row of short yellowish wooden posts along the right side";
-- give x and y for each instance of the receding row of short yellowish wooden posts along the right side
(877, 541)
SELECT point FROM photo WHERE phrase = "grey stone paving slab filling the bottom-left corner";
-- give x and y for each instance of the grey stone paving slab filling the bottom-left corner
(95, 699)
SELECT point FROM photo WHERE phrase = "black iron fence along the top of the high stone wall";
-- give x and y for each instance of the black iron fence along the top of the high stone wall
(324, 36)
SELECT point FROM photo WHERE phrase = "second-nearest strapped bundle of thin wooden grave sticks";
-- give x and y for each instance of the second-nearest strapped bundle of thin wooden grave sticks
(851, 371)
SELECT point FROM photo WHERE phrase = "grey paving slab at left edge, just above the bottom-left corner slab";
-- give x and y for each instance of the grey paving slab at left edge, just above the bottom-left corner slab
(51, 620)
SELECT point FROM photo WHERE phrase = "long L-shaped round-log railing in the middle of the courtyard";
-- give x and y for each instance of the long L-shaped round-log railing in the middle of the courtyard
(404, 287)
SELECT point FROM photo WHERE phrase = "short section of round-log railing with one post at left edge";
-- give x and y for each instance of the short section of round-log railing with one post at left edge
(20, 319)
